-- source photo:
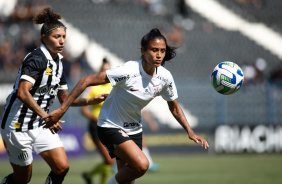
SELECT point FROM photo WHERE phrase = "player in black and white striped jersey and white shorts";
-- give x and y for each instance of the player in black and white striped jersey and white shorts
(40, 79)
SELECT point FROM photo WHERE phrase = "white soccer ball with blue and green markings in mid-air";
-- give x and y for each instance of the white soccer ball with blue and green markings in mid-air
(227, 78)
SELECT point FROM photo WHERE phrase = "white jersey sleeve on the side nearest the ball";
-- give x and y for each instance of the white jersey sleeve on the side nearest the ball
(169, 92)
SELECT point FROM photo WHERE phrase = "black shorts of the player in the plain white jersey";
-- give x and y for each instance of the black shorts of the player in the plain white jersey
(111, 137)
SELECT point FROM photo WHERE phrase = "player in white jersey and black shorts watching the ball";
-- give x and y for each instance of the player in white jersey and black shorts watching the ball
(135, 84)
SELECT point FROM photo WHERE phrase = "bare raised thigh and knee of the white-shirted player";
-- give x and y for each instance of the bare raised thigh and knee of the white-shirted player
(131, 154)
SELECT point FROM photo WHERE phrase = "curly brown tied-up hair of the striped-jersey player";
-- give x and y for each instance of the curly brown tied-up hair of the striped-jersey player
(49, 19)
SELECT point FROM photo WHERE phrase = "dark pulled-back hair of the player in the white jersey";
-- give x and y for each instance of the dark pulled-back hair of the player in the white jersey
(153, 34)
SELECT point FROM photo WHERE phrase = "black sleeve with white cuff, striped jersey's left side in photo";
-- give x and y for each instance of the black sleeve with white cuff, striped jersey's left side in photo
(32, 68)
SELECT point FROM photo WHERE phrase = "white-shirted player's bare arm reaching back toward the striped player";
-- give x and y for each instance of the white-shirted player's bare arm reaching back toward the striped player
(91, 80)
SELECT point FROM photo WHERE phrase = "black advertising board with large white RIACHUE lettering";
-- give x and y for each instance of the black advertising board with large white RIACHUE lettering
(256, 139)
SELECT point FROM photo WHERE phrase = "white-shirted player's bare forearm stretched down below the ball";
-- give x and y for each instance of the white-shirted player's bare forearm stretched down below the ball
(178, 114)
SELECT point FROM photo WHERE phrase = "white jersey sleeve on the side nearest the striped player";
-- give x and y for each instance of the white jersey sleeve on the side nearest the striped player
(118, 75)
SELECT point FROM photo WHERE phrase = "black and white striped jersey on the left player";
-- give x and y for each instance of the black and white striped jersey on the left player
(47, 77)
